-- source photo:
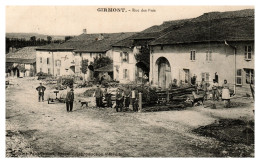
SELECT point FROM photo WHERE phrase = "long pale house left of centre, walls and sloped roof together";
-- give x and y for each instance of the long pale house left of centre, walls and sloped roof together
(66, 58)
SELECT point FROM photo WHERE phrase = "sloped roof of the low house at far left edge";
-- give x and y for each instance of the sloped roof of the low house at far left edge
(23, 53)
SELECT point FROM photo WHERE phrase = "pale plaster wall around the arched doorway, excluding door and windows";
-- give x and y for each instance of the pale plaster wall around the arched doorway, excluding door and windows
(222, 61)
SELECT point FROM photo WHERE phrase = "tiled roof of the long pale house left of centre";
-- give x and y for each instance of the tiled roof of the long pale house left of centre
(88, 42)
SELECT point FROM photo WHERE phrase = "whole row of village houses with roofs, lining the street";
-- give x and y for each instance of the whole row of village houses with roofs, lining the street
(215, 43)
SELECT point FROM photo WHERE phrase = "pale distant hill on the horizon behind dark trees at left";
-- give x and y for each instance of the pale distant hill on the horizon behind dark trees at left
(27, 36)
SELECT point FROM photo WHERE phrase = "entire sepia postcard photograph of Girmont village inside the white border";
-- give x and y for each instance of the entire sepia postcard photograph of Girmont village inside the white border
(129, 81)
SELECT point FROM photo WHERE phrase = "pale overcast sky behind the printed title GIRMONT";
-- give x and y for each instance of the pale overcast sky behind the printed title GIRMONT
(71, 20)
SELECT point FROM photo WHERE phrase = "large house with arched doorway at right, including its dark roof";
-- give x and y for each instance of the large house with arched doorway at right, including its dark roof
(220, 48)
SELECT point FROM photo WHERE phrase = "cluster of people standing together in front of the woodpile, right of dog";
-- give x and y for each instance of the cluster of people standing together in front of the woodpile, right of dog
(124, 97)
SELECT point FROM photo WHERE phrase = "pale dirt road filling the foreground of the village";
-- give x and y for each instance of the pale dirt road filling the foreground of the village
(47, 130)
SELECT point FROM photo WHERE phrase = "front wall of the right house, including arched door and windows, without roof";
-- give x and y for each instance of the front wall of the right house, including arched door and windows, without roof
(181, 62)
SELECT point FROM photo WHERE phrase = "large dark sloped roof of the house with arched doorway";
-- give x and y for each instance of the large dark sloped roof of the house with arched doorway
(239, 28)
